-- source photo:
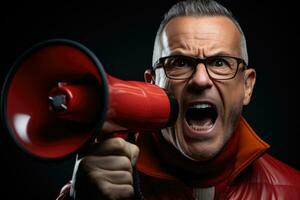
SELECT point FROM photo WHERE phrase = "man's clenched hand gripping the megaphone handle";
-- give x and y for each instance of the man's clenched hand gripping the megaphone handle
(106, 171)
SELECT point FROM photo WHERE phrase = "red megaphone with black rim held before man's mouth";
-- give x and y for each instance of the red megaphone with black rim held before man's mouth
(57, 96)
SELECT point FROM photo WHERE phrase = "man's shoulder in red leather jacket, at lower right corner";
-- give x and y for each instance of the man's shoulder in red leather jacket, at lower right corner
(267, 178)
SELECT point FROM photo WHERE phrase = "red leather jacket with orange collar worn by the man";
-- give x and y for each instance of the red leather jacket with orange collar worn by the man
(242, 171)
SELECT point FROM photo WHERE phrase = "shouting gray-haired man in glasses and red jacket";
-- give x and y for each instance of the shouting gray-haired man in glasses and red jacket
(211, 152)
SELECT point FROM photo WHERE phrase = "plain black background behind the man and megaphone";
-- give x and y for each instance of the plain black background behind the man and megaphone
(122, 35)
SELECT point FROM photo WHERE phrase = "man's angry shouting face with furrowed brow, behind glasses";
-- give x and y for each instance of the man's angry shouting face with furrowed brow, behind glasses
(209, 109)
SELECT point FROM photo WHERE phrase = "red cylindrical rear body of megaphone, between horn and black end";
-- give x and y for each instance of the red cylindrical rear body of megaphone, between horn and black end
(137, 105)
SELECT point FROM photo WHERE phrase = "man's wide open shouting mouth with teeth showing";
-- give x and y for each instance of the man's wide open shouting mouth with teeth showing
(201, 117)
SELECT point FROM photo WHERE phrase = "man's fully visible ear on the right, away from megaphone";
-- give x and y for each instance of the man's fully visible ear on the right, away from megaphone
(249, 82)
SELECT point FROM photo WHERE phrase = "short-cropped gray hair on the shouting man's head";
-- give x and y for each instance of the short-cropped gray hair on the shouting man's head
(196, 8)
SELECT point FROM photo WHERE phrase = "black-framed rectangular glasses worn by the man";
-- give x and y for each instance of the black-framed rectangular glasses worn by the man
(181, 67)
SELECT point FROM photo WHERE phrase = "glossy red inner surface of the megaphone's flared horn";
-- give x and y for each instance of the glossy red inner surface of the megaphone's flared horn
(32, 124)
